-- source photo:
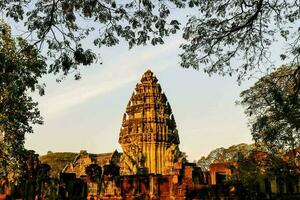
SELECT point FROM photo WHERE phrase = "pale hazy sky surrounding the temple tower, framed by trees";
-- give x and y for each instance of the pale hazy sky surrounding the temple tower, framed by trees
(87, 114)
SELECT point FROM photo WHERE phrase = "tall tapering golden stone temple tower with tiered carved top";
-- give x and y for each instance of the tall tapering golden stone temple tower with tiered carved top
(148, 135)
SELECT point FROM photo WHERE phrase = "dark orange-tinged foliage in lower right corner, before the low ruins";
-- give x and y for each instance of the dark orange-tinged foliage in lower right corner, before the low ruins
(257, 169)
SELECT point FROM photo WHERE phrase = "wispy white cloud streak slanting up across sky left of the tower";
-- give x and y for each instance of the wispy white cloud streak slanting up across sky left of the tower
(119, 71)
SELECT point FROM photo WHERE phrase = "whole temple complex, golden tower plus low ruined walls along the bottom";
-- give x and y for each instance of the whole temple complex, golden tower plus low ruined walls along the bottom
(150, 167)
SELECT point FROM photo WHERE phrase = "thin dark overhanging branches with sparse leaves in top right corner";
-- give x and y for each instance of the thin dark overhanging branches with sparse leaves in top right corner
(236, 36)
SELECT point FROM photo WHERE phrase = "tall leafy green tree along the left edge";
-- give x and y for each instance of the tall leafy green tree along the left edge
(20, 67)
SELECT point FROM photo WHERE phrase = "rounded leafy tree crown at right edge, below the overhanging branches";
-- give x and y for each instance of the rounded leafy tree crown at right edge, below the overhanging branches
(273, 107)
